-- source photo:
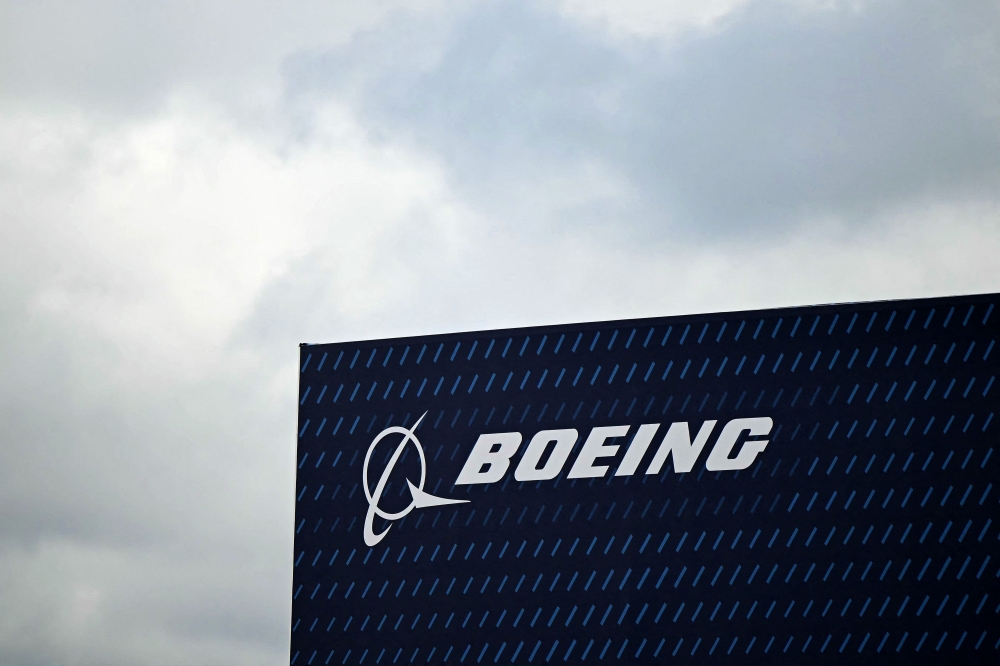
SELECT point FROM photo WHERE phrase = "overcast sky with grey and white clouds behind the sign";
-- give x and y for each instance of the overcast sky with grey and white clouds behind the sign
(190, 189)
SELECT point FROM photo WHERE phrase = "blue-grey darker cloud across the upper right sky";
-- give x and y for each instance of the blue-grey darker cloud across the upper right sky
(777, 114)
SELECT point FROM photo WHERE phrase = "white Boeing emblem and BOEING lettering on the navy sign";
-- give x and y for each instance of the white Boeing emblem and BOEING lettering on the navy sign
(490, 458)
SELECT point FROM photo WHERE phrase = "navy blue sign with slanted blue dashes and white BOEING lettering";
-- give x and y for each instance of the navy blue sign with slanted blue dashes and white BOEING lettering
(808, 483)
